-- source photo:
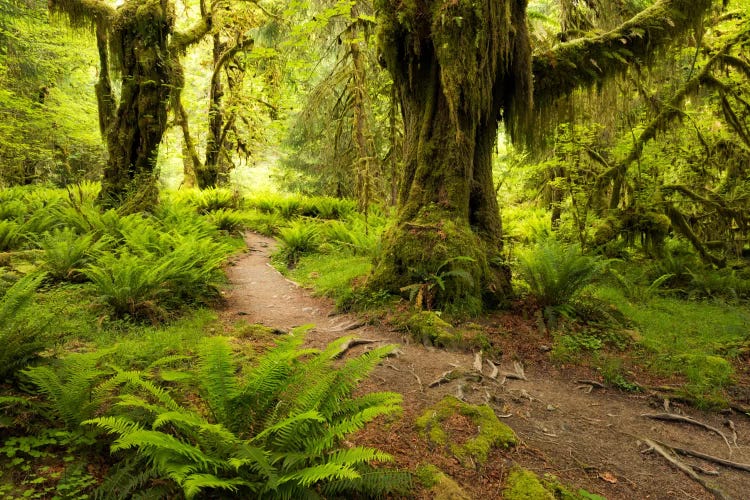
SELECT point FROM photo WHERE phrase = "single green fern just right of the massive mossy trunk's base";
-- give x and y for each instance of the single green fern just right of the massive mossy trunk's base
(556, 273)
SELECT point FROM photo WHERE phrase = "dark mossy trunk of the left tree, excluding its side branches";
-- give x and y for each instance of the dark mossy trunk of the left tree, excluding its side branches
(140, 43)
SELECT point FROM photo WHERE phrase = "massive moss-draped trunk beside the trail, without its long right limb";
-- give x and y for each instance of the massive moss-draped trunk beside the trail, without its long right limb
(457, 65)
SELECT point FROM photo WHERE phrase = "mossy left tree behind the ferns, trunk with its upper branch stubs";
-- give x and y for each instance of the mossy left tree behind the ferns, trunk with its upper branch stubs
(138, 38)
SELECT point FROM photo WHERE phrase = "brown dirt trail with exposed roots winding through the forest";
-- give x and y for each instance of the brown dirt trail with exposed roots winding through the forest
(588, 437)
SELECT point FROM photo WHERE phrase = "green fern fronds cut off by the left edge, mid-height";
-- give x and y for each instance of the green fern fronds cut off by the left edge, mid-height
(22, 331)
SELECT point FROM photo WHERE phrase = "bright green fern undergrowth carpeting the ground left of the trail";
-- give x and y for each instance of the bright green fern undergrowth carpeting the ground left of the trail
(106, 317)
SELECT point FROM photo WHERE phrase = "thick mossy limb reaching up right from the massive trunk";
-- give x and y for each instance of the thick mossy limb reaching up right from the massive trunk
(588, 61)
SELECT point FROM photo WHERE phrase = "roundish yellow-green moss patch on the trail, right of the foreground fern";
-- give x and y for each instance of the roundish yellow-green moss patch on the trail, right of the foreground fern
(491, 433)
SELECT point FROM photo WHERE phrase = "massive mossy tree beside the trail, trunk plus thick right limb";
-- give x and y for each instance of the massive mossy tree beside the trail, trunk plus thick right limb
(459, 66)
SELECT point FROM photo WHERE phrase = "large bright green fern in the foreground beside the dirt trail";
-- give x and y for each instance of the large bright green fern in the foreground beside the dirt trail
(274, 434)
